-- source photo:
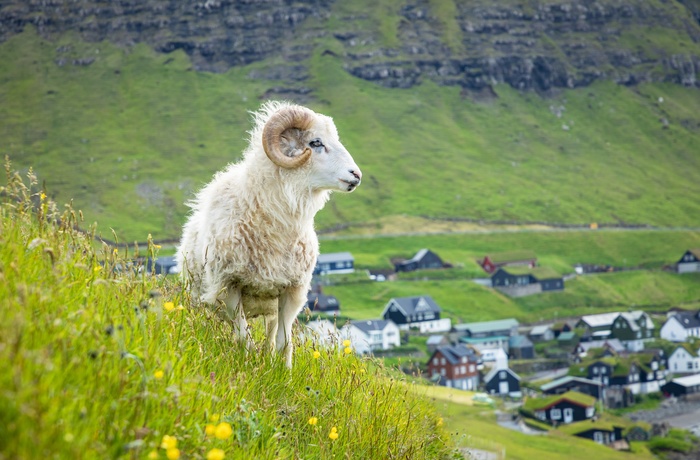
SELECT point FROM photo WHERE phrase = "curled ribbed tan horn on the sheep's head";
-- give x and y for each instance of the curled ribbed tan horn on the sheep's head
(286, 118)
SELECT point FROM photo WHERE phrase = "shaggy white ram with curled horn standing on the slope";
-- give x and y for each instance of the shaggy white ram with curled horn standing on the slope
(249, 244)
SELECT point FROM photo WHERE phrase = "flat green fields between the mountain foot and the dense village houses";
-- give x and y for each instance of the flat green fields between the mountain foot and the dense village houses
(462, 300)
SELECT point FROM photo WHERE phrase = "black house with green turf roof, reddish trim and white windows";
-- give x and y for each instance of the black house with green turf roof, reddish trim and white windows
(565, 408)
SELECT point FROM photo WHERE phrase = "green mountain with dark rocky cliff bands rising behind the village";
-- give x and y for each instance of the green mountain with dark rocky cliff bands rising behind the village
(555, 112)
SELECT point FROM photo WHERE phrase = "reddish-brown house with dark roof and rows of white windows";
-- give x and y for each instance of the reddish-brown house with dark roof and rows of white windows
(455, 367)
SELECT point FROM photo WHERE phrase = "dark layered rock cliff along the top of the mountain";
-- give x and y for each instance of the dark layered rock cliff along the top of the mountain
(474, 44)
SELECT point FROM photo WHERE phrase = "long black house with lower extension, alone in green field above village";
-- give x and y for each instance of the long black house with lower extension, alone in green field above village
(523, 281)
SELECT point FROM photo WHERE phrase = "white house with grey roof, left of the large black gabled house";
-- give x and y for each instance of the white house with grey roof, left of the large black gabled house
(367, 336)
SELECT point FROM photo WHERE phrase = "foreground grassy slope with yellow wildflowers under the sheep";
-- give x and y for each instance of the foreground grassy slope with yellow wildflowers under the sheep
(99, 365)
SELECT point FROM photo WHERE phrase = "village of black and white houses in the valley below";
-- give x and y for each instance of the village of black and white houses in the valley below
(576, 375)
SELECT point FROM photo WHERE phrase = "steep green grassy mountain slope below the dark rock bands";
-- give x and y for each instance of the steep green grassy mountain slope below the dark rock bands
(132, 135)
